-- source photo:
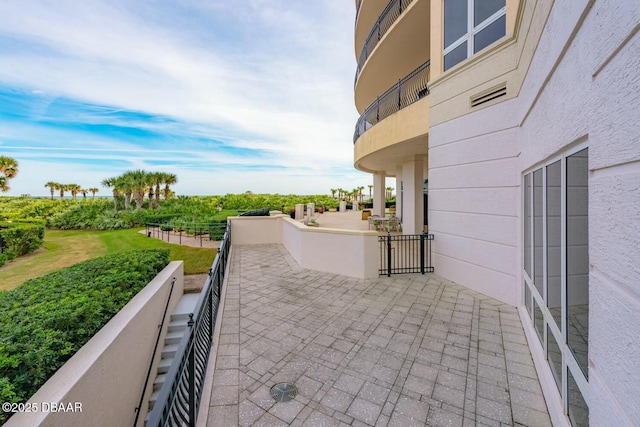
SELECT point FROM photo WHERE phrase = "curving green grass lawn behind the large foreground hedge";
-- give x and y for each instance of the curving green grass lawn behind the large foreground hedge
(64, 248)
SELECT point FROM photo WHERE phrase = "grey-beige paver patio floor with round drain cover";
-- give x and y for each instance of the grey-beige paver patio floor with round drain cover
(400, 351)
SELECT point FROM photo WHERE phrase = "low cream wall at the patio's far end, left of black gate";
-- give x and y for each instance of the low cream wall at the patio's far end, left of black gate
(350, 253)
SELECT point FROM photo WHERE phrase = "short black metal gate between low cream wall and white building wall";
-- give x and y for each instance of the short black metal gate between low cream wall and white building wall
(405, 253)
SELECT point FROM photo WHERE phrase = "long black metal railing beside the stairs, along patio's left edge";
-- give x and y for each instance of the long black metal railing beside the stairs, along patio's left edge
(179, 398)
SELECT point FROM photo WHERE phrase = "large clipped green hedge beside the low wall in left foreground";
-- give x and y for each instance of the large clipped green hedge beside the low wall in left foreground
(46, 320)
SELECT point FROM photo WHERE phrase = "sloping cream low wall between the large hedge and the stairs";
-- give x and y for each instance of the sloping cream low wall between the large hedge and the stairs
(101, 384)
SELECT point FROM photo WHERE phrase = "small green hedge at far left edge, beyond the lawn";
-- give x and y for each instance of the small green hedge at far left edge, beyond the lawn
(18, 239)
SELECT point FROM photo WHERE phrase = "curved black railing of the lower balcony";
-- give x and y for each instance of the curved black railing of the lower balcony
(408, 90)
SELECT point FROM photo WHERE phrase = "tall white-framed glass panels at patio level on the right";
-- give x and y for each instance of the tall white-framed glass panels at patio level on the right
(556, 261)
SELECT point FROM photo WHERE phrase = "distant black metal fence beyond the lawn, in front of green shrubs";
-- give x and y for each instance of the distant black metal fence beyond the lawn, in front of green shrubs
(179, 230)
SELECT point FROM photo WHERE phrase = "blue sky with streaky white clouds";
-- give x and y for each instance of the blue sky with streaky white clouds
(229, 95)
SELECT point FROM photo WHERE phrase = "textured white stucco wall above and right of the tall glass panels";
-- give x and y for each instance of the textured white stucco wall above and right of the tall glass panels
(586, 87)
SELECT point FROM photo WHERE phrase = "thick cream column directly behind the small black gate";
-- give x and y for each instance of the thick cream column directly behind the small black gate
(413, 212)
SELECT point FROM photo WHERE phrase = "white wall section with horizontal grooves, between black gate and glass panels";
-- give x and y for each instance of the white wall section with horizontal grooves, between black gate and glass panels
(474, 189)
